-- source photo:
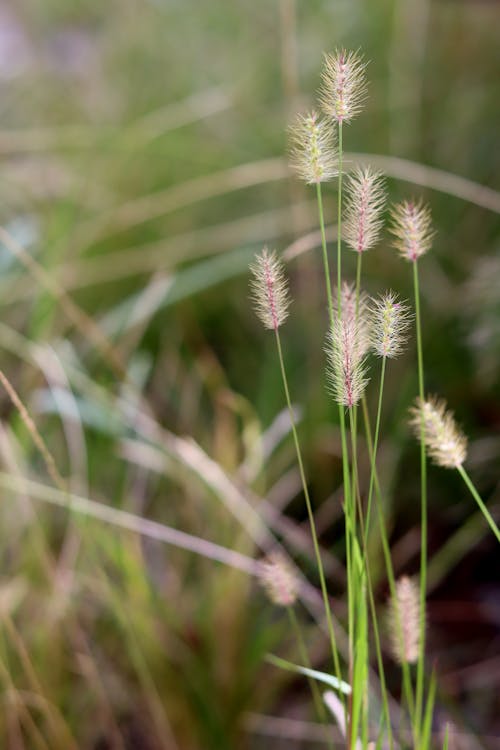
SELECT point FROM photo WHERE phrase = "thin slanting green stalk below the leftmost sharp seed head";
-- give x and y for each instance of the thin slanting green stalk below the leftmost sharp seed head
(331, 631)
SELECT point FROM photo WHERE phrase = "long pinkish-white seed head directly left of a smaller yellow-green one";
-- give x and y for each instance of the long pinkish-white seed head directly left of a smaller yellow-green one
(346, 349)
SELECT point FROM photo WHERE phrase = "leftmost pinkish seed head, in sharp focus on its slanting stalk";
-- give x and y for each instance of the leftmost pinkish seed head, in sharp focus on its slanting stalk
(269, 289)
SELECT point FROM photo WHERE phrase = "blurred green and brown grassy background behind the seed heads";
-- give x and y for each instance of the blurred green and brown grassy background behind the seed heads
(143, 163)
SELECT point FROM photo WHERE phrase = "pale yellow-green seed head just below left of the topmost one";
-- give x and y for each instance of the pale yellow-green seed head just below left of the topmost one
(313, 149)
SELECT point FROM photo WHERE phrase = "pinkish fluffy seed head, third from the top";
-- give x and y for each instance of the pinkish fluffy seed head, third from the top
(364, 207)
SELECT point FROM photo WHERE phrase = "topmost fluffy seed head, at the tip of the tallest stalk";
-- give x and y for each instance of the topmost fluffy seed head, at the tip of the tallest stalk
(343, 90)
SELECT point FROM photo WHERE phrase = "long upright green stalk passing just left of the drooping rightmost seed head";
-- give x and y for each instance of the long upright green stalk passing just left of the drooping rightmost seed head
(423, 490)
